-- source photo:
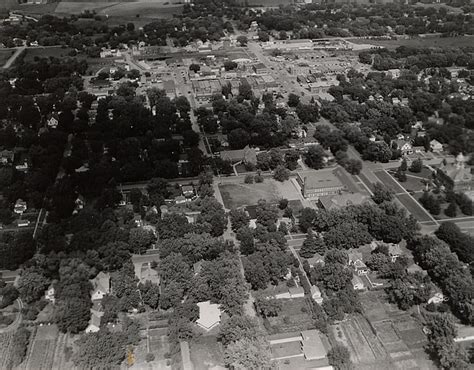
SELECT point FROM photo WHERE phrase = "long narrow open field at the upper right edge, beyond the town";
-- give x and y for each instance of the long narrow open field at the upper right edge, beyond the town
(442, 42)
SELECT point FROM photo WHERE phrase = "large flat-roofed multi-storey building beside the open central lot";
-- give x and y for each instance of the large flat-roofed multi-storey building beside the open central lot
(315, 184)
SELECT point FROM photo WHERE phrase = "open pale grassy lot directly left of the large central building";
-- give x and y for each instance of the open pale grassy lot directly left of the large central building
(239, 194)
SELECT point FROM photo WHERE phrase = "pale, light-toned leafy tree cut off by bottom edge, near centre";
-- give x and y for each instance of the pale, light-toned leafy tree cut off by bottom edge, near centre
(248, 354)
